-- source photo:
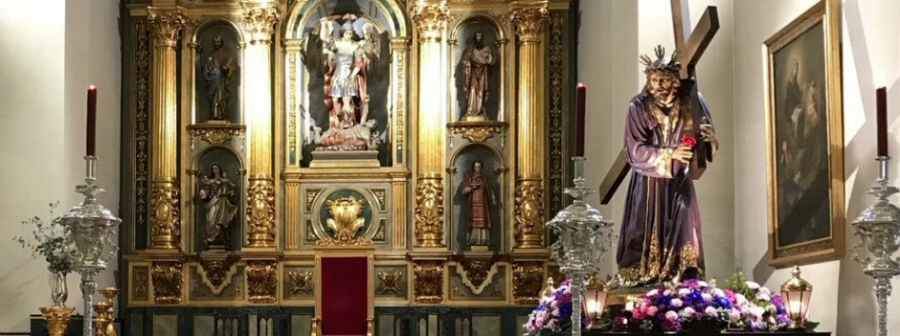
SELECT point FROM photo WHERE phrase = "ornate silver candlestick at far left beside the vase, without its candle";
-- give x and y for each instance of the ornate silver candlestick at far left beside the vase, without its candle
(92, 230)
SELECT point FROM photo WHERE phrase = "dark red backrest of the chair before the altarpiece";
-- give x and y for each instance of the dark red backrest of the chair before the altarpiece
(344, 295)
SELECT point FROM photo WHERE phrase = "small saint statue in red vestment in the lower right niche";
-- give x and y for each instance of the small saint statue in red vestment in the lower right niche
(480, 198)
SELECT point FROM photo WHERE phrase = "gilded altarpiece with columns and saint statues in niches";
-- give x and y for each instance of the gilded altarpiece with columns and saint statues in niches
(434, 131)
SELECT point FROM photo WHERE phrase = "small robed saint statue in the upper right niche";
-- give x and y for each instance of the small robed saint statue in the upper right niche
(477, 61)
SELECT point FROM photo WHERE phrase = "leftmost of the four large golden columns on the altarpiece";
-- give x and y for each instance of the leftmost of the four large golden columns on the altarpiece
(165, 213)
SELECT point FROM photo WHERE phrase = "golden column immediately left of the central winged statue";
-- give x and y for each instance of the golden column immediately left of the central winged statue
(258, 23)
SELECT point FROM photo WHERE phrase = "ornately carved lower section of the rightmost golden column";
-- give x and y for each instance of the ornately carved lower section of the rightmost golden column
(529, 213)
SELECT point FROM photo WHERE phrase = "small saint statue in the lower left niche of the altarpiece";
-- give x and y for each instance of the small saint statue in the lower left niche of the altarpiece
(220, 198)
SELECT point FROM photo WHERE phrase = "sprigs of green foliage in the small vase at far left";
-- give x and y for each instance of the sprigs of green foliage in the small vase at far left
(49, 241)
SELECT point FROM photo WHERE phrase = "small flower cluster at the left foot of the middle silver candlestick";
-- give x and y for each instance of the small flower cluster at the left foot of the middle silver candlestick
(554, 313)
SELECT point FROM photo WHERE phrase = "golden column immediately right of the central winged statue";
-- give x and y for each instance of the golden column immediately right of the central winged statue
(430, 17)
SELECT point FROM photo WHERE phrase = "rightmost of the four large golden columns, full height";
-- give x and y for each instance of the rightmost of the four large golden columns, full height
(530, 18)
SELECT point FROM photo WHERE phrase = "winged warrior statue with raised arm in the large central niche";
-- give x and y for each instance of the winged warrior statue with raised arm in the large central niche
(348, 55)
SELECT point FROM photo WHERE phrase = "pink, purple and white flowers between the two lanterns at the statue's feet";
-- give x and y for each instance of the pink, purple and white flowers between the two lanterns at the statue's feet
(695, 304)
